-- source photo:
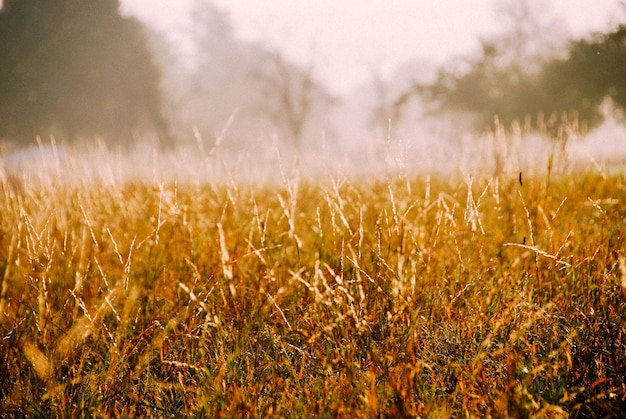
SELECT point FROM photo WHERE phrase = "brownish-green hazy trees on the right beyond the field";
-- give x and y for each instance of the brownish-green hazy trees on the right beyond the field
(514, 82)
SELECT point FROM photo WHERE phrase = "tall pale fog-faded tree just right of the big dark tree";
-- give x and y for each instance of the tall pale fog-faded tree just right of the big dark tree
(217, 84)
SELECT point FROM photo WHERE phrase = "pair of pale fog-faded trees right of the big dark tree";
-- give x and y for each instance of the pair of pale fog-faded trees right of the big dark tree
(226, 76)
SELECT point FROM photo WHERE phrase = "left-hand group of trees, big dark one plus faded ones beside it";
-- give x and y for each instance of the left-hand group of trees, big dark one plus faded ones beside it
(79, 69)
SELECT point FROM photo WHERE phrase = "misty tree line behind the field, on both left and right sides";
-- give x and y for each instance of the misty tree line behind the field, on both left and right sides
(79, 69)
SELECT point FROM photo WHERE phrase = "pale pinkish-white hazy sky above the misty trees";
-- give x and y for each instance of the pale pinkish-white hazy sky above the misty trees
(348, 39)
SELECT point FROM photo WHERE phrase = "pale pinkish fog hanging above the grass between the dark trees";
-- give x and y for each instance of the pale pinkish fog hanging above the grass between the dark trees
(251, 109)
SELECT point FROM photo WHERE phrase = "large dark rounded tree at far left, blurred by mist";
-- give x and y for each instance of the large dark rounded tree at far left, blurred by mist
(75, 68)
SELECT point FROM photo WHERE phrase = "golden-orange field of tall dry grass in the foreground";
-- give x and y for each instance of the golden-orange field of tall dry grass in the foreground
(487, 294)
